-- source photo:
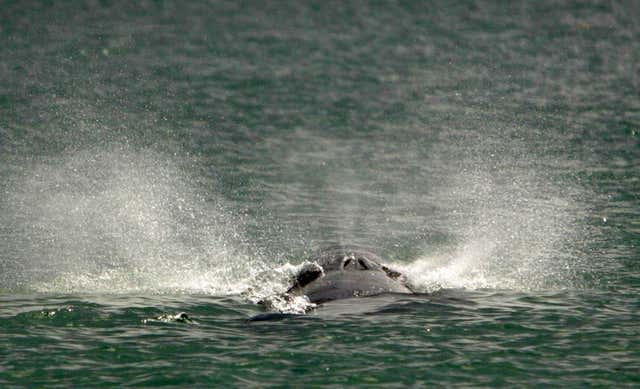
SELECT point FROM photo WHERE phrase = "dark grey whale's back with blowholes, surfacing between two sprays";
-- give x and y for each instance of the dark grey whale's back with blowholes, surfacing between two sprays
(341, 272)
